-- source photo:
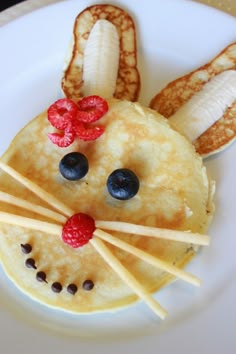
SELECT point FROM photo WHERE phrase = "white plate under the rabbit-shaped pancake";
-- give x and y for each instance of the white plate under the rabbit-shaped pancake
(173, 38)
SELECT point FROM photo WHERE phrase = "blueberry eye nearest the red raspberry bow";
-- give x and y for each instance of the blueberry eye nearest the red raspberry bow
(73, 166)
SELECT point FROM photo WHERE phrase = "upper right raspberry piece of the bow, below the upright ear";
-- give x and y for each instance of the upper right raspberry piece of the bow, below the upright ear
(91, 108)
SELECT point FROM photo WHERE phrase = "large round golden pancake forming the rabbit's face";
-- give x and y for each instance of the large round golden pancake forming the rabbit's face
(174, 193)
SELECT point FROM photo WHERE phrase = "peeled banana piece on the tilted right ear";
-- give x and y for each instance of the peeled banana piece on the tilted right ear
(206, 106)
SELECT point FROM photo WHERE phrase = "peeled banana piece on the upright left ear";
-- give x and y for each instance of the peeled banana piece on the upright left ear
(101, 60)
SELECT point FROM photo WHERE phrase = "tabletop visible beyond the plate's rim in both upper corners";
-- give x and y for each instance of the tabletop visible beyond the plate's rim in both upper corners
(22, 7)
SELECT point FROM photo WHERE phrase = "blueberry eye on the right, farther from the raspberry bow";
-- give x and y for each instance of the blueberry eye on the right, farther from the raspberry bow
(122, 184)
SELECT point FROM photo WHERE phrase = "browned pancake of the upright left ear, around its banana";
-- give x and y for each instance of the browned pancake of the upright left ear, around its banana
(128, 79)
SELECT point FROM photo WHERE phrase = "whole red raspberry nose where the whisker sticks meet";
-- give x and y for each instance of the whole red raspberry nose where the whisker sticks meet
(78, 230)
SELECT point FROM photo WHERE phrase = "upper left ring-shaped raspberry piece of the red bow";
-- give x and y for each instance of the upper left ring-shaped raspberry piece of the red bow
(62, 112)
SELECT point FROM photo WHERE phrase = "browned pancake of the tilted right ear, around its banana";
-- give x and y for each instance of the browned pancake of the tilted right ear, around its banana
(179, 91)
